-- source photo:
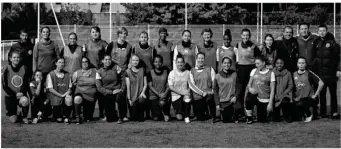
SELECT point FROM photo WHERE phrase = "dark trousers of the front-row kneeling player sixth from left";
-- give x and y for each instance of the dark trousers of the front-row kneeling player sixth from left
(137, 110)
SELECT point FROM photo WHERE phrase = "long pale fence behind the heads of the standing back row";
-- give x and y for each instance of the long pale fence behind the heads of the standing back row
(174, 32)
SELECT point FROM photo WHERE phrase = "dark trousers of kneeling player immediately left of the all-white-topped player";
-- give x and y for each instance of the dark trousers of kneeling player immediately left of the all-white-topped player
(159, 110)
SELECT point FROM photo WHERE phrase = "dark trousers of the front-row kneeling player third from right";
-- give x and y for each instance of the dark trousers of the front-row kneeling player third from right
(262, 114)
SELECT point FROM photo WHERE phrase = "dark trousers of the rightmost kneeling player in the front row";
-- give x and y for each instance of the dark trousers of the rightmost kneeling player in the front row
(302, 107)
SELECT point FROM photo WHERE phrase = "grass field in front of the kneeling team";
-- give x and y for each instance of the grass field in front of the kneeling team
(320, 133)
